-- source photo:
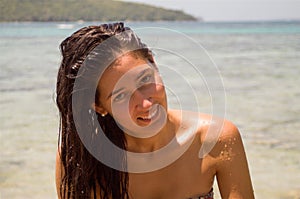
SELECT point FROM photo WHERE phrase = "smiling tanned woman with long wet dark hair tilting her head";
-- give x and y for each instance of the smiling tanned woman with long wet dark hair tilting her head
(108, 84)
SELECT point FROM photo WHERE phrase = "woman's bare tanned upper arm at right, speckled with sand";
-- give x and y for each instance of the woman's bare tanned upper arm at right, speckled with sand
(232, 169)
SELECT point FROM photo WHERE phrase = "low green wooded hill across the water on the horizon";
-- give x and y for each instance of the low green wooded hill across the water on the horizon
(85, 10)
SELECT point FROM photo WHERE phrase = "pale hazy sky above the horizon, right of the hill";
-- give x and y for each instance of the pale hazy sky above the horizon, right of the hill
(233, 10)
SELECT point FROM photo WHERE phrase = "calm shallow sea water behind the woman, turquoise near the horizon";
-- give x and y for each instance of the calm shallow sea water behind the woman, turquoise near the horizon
(258, 65)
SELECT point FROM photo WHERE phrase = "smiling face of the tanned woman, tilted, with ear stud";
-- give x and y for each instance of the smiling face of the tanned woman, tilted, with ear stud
(133, 93)
